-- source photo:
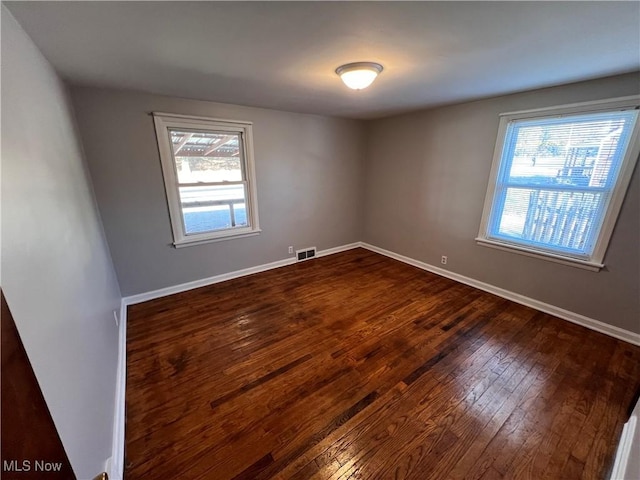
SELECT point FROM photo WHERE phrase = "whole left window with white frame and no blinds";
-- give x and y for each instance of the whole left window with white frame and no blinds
(209, 177)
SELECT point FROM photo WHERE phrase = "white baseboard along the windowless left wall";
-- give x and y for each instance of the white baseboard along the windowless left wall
(115, 464)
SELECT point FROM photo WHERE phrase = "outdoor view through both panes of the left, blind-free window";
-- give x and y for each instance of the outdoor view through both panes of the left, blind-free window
(211, 178)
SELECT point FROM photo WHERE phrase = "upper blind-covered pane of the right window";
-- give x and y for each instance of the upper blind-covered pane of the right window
(579, 151)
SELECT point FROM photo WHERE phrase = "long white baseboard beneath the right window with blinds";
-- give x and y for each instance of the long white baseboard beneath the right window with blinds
(587, 322)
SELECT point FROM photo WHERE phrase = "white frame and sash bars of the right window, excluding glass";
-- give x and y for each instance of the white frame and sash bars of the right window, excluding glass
(611, 193)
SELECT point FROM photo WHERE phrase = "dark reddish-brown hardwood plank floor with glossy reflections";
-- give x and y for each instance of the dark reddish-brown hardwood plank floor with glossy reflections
(358, 366)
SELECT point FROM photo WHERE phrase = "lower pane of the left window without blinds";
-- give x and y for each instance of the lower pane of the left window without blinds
(211, 208)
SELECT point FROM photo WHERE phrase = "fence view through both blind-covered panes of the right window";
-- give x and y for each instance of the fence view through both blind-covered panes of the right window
(556, 178)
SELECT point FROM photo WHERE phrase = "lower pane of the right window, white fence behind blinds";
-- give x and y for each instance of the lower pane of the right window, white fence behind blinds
(563, 220)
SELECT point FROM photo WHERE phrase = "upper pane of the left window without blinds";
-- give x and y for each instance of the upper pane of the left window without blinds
(207, 156)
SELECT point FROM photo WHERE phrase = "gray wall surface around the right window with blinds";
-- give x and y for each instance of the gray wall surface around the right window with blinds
(426, 179)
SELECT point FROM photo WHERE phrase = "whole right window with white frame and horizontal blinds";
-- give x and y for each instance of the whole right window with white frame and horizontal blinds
(558, 179)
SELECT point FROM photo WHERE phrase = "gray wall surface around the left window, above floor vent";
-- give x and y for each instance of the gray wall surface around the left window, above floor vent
(309, 179)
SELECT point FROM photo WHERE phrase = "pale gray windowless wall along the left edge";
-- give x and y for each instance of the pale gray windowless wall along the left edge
(56, 270)
